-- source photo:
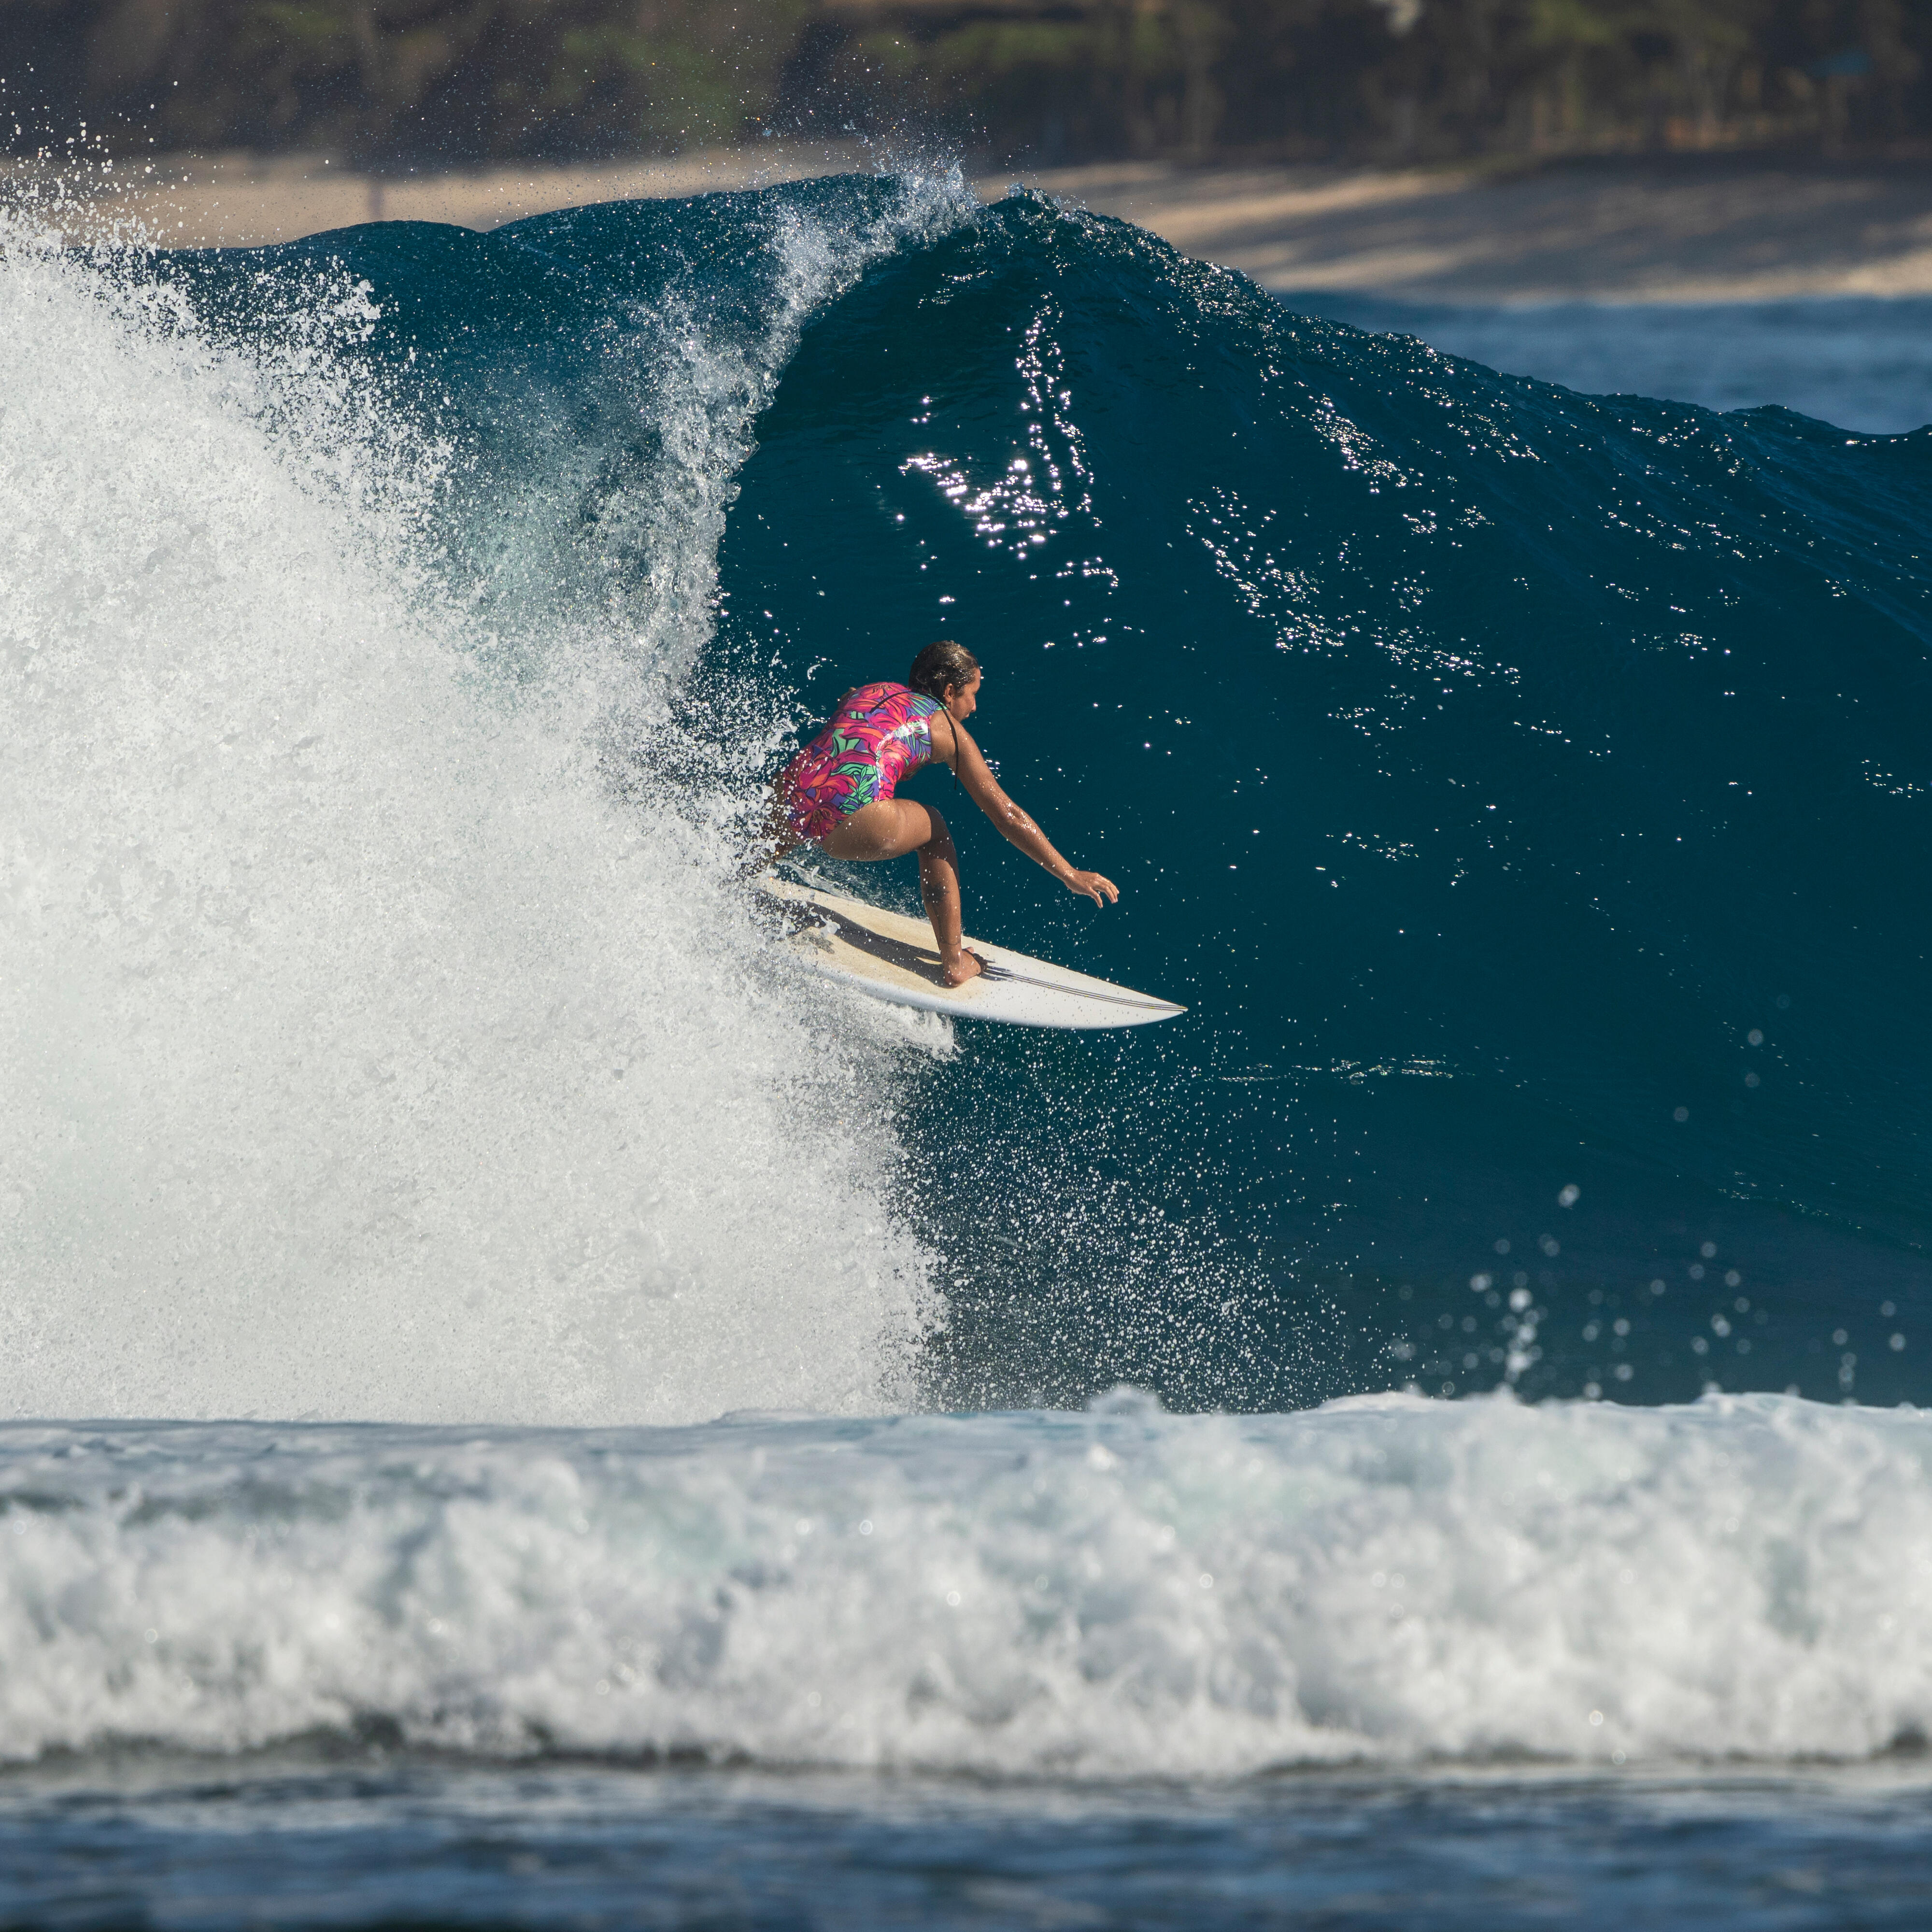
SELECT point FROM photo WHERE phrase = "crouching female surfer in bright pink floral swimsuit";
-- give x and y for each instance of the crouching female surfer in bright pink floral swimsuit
(839, 791)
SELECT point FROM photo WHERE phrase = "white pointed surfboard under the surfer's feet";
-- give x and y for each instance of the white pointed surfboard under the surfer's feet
(895, 959)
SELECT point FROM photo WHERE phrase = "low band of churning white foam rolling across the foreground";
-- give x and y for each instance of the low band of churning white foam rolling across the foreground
(1118, 1593)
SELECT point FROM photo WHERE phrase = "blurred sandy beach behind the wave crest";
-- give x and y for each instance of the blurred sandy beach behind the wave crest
(1705, 229)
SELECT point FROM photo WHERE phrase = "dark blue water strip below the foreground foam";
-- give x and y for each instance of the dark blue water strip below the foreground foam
(384, 1842)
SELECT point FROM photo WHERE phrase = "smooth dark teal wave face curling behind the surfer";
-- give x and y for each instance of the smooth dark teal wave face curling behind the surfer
(1525, 791)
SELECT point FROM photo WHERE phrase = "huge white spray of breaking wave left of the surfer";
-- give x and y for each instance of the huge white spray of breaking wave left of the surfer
(362, 1054)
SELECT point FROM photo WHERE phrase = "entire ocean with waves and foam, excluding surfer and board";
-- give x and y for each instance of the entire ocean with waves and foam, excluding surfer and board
(519, 1409)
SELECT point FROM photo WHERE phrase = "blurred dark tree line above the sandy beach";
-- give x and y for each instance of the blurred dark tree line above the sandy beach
(1038, 80)
